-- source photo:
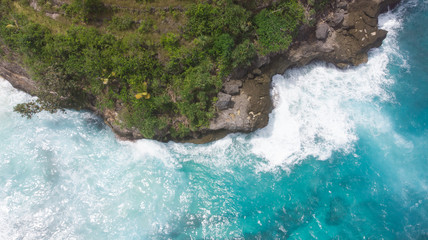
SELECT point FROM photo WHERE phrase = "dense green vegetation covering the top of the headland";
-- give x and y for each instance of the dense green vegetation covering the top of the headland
(159, 67)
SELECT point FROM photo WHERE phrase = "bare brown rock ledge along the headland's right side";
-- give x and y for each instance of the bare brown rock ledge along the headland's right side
(342, 37)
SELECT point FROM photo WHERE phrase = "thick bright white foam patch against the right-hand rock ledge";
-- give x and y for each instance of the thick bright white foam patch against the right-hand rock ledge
(318, 107)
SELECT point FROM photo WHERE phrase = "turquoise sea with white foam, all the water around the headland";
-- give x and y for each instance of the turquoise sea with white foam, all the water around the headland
(343, 157)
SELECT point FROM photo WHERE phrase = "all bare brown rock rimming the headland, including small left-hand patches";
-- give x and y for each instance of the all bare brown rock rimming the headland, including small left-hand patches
(342, 36)
